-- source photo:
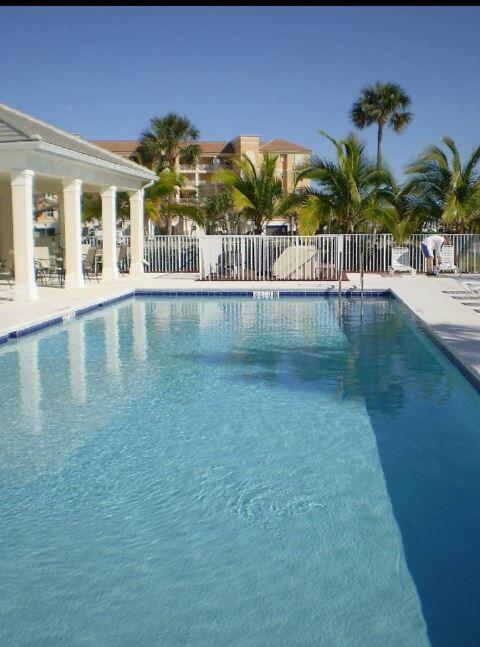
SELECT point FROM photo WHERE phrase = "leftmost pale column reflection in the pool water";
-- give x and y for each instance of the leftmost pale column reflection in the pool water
(30, 385)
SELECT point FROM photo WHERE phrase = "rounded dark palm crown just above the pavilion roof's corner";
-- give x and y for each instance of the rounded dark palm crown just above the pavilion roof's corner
(167, 138)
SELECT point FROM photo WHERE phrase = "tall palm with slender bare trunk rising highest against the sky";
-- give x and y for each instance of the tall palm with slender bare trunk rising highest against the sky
(382, 104)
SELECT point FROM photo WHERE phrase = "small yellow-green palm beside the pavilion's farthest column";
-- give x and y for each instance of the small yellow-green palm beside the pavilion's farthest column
(159, 206)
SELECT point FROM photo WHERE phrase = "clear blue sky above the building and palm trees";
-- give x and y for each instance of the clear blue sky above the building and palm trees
(279, 72)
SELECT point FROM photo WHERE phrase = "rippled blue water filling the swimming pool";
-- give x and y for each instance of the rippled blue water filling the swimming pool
(202, 472)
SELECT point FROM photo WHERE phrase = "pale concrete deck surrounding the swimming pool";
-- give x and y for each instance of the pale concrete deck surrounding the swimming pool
(454, 325)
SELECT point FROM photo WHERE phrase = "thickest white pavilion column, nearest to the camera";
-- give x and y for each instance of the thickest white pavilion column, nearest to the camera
(22, 215)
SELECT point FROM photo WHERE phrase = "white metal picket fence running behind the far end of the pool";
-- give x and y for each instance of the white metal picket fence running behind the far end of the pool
(261, 258)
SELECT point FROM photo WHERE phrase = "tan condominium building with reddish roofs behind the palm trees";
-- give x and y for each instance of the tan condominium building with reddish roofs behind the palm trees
(199, 179)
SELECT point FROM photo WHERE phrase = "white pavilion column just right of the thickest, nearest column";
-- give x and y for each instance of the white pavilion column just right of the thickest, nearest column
(72, 214)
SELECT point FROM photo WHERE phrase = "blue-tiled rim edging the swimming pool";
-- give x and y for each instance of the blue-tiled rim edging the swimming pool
(70, 314)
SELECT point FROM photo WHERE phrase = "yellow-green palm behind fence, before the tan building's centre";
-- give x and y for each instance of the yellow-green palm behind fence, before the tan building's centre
(256, 193)
